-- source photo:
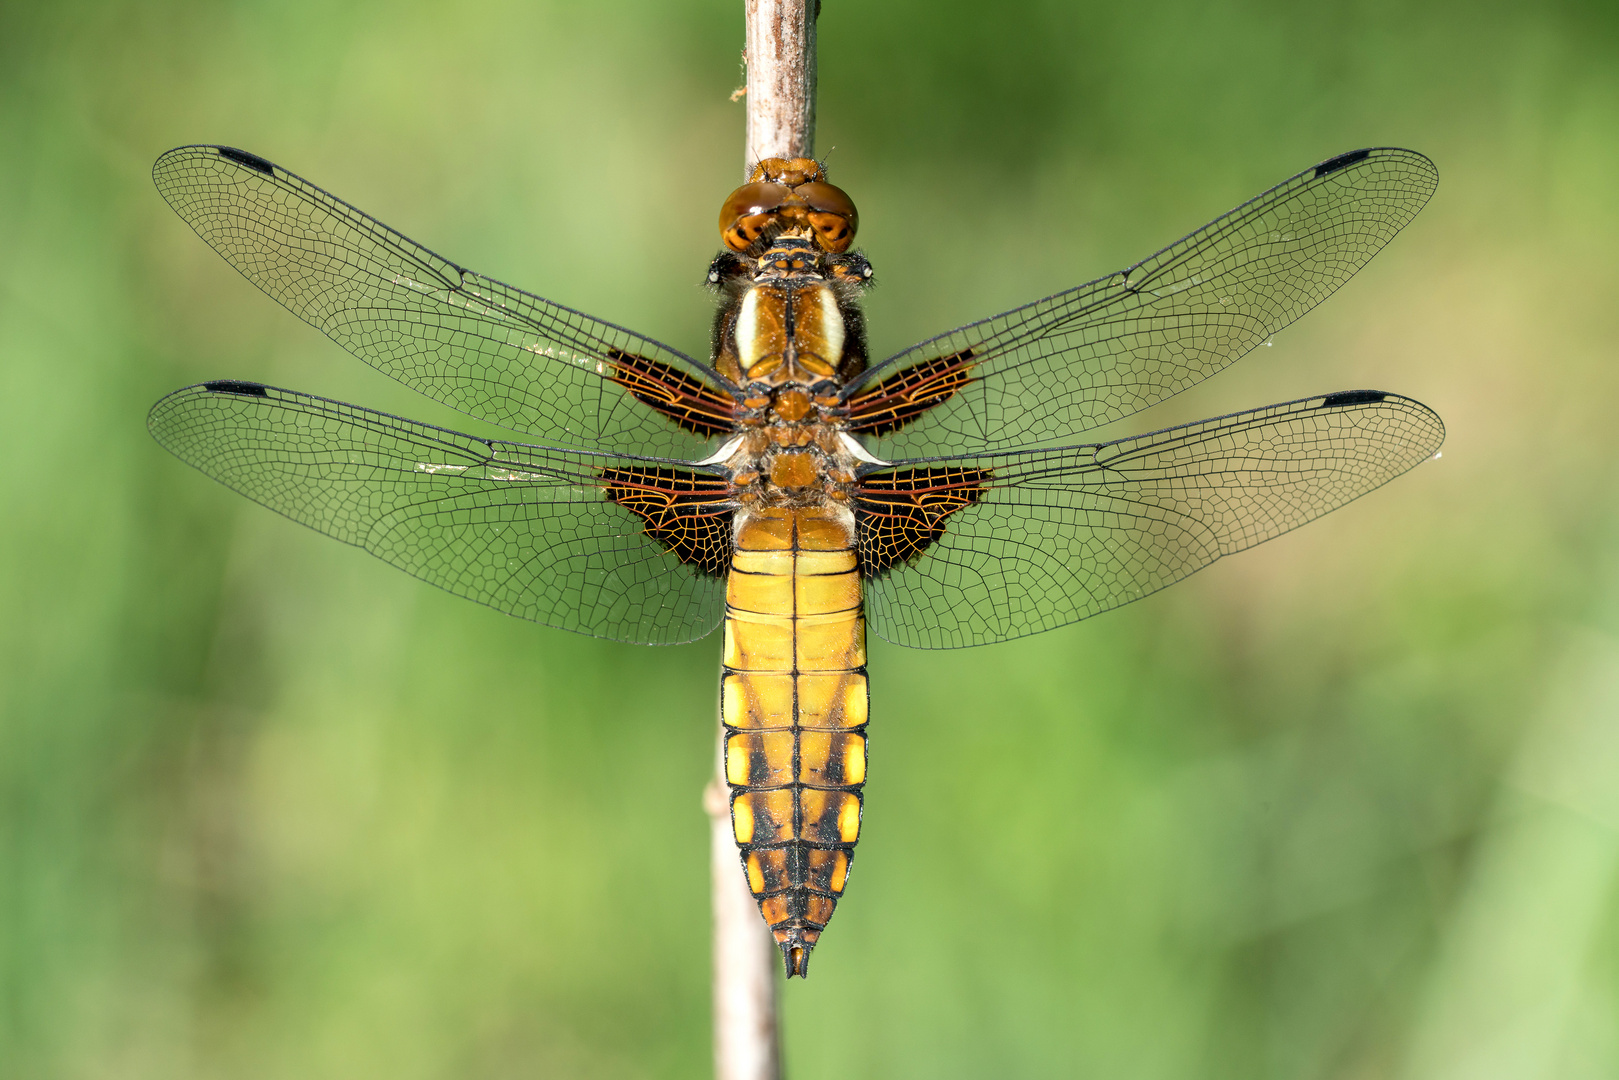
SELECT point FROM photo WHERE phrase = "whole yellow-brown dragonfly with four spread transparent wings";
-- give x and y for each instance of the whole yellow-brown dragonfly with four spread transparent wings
(789, 490)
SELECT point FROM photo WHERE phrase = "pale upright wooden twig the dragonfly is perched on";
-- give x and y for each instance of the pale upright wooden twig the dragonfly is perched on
(781, 124)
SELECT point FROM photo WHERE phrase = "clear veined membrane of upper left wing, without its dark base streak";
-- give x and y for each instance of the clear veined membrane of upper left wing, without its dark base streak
(482, 347)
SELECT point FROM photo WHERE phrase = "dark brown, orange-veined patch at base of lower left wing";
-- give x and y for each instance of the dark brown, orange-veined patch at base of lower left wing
(686, 512)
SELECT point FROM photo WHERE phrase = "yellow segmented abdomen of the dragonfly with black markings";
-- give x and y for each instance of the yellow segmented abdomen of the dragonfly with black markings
(794, 705)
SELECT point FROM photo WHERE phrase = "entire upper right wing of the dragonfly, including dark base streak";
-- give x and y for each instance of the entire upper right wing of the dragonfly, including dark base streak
(1055, 368)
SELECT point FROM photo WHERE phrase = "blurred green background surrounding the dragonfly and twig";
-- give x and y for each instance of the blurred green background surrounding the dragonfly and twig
(1343, 807)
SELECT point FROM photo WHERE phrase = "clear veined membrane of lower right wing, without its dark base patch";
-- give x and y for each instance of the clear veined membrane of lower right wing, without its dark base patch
(1061, 535)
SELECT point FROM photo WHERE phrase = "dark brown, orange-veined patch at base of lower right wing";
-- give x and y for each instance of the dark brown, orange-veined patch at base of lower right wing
(901, 514)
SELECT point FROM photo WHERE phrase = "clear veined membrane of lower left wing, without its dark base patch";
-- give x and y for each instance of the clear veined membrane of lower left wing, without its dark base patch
(525, 530)
